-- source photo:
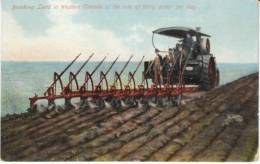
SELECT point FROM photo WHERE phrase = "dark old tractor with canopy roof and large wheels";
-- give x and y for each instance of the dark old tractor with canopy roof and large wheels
(191, 57)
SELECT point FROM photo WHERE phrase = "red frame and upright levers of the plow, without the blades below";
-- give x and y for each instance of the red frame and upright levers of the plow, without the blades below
(103, 90)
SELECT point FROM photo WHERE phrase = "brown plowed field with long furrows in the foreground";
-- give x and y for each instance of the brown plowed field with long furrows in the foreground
(220, 125)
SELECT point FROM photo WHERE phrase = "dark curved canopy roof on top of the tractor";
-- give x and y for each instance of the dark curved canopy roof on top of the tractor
(178, 32)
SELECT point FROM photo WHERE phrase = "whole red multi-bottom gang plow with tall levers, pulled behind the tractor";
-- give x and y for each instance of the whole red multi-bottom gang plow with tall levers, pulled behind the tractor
(105, 94)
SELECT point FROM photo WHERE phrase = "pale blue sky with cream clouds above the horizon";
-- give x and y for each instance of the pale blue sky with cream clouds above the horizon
(41, 30)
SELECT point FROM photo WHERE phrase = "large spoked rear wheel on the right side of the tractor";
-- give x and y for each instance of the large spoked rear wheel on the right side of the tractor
(209, 74)
